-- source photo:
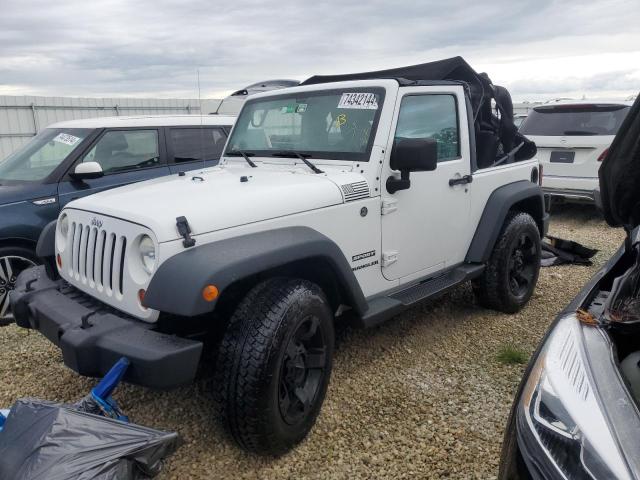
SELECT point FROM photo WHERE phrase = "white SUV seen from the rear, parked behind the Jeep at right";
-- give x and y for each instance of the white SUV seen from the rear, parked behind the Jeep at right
(572, 137)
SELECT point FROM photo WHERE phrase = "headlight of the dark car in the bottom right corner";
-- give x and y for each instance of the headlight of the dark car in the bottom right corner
(561, 422)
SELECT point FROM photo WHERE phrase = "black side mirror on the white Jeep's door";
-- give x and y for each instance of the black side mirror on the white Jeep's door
(411, 155)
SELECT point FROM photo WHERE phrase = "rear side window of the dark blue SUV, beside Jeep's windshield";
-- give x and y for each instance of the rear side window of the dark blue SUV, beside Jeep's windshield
(191, 144)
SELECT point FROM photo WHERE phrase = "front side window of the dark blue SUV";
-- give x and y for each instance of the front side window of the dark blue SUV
(122, 150)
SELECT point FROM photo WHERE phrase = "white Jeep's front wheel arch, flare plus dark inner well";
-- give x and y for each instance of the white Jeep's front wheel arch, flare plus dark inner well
(234, 265)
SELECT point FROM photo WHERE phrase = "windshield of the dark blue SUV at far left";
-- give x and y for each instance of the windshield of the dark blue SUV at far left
(38, 158)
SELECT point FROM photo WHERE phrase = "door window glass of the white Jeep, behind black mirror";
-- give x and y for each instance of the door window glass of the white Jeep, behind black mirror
(431, 116)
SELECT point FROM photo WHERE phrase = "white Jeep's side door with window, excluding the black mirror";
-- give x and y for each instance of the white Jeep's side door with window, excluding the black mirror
(428, 229)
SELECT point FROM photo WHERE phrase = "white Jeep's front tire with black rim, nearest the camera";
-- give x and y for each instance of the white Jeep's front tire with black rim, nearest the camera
(274, 365)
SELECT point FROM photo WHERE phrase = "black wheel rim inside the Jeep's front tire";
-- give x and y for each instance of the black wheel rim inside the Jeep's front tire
(302, 372)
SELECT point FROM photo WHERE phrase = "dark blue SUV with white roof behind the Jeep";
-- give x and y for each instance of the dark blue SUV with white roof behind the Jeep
(73, 159)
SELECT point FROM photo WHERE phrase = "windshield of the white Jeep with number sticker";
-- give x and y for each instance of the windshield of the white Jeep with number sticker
(327, 124)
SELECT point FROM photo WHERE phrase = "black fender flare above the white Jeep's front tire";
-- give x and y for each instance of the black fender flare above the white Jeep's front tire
(177, 285)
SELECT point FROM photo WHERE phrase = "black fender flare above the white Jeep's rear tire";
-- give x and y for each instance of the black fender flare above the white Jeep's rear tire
(495, 212)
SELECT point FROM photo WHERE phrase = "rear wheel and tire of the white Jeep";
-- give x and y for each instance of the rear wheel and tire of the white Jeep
(511, 274)
